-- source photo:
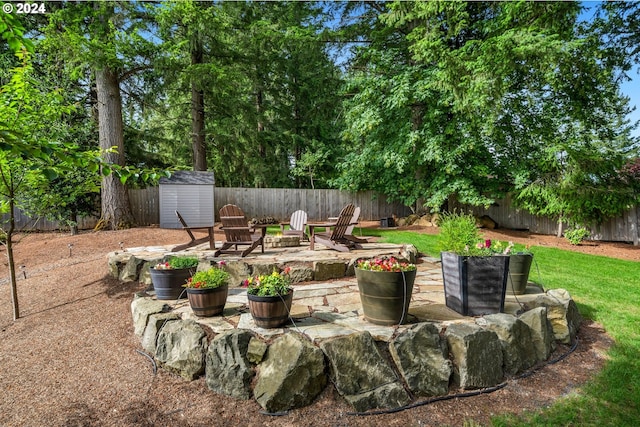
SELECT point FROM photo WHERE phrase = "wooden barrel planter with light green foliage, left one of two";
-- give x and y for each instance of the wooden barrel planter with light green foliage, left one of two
(207, 291)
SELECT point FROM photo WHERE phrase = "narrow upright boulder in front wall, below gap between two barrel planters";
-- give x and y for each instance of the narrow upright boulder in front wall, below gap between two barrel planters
(228, 370)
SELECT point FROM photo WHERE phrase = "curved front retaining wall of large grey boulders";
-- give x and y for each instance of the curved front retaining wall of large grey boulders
(421, 359)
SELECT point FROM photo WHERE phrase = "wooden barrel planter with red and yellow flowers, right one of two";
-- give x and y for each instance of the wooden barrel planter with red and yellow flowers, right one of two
(270, 297)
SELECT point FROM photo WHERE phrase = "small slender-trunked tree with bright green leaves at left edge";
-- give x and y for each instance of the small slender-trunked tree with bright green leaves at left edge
(29, 147)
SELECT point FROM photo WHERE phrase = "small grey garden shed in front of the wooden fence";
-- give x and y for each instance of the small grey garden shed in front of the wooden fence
(191, 194)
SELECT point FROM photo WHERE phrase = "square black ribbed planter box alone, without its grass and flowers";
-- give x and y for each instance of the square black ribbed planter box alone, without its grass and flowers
(474, 285)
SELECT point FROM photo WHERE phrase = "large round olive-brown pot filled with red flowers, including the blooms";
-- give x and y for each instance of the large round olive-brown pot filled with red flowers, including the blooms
(385, 286)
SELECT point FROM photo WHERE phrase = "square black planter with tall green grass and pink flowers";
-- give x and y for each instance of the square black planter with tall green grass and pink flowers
(475, 282)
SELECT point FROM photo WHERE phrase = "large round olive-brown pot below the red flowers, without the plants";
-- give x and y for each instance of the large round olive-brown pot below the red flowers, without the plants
(385, 295)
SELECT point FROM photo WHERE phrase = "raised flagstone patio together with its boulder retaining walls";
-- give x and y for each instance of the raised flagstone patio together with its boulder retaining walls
(370, 366)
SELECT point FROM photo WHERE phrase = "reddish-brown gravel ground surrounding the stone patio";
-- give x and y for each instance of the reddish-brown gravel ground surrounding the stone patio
(72, 358)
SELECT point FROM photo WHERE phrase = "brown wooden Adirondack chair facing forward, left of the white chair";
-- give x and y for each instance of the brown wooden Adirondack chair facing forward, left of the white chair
(237, 232)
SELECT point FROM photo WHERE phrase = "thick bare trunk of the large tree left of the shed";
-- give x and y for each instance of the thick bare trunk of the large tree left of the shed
(116, 212)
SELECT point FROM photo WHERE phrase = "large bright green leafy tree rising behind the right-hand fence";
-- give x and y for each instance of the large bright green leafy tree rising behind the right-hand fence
(473, 99)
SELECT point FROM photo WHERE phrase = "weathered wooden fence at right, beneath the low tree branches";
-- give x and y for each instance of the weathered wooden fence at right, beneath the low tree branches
(624, 228)
